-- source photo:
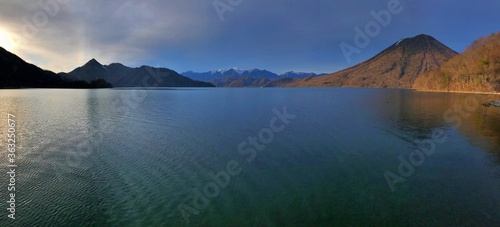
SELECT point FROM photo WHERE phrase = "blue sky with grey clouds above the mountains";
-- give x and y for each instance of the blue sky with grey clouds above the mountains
(205, 35)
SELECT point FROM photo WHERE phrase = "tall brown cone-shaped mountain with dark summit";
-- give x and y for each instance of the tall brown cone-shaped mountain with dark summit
(398, 66)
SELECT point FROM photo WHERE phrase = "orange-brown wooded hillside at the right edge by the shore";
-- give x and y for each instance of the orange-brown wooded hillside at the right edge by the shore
(477, 69)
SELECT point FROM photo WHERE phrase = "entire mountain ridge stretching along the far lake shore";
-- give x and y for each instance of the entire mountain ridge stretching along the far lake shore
(400, 65)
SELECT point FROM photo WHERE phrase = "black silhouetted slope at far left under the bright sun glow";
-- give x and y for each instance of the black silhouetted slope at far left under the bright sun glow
(16, 73)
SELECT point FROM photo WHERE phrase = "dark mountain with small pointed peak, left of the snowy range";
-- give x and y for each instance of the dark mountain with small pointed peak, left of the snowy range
(122, 76)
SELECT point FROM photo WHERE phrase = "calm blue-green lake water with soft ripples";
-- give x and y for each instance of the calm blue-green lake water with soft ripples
(320, 157)
